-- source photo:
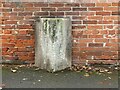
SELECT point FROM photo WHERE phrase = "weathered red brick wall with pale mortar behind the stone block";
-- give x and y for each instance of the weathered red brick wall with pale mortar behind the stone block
(94, 29)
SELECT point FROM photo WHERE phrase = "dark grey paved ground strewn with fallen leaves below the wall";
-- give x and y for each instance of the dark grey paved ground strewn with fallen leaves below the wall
(23, 76)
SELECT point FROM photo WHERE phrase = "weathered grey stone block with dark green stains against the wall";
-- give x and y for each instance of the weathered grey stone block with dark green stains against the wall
(53, 44)
